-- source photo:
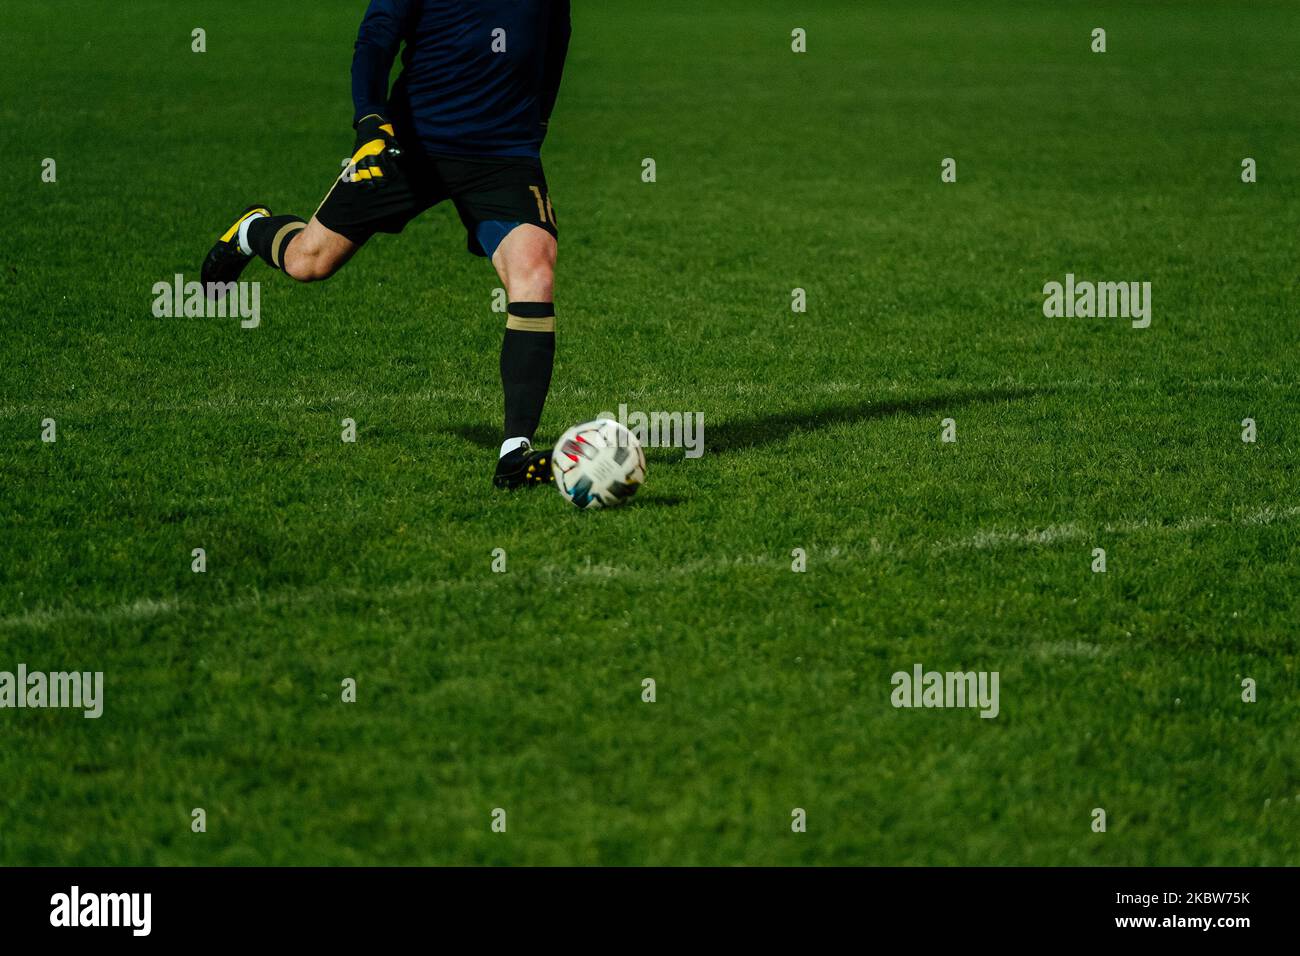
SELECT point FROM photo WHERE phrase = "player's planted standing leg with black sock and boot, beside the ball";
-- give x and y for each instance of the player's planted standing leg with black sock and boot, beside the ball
(526, 262)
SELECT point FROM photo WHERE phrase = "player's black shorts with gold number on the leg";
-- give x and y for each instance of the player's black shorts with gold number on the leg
(484, 189)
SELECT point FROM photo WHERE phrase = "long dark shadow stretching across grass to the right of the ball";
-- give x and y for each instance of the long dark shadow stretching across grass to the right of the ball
(770, 430)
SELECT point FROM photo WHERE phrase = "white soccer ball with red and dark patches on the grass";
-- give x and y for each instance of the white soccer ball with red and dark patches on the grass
(599, 465)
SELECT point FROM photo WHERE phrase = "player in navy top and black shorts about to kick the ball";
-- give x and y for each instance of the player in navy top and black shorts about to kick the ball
(465, 122)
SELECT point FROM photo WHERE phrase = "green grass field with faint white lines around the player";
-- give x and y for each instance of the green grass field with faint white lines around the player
(822, 432)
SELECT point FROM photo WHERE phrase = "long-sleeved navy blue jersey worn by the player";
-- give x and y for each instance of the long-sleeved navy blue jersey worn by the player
(479, 77)
